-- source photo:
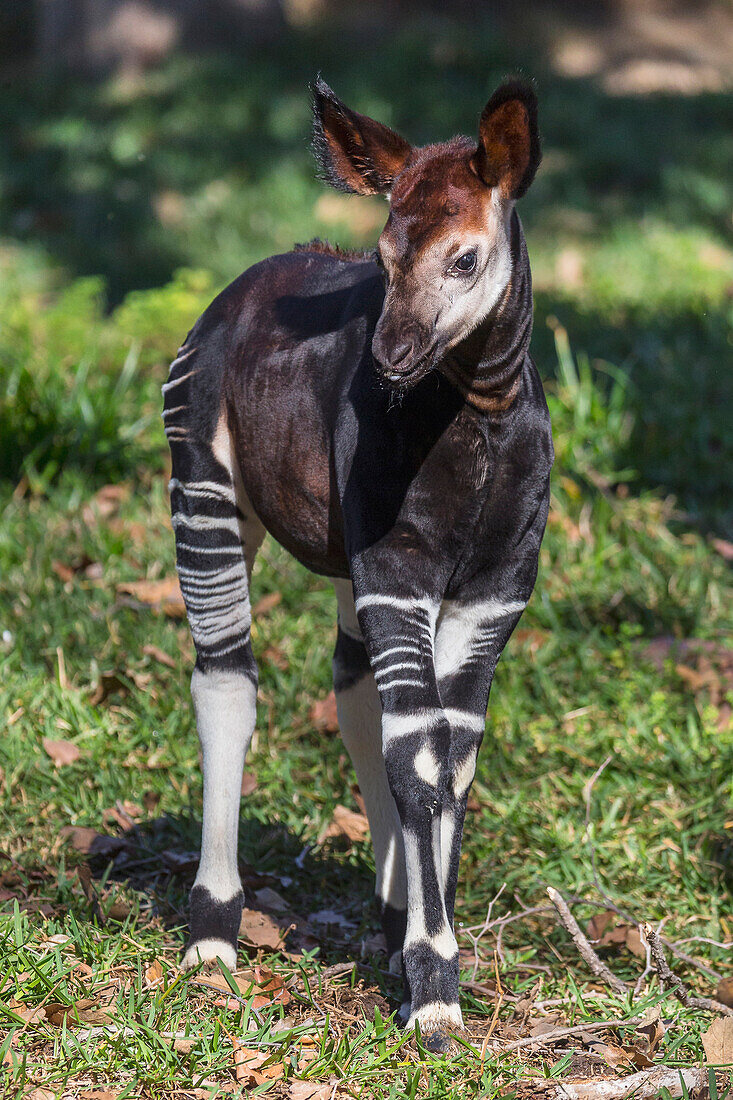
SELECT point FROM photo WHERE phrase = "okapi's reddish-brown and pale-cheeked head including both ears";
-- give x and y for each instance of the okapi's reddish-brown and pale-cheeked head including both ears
(445, 249)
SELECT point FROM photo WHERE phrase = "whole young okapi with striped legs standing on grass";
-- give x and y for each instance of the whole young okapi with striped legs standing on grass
(381, 417)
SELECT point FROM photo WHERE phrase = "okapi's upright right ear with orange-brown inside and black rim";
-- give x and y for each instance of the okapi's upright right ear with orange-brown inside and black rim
(509, 151)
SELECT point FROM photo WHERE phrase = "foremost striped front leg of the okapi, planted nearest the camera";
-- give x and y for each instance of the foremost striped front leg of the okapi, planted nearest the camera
(417, 743)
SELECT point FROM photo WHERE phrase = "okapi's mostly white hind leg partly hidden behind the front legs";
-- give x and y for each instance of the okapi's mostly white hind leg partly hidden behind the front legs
(360, 722)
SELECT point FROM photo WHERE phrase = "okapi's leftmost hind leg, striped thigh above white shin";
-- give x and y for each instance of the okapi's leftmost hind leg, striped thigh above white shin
(214, 524)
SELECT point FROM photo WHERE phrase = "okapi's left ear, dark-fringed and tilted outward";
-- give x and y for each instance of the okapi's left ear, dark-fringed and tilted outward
(356, 153)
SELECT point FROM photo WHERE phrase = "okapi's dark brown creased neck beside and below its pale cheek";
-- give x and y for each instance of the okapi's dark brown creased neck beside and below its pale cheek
(487, 366)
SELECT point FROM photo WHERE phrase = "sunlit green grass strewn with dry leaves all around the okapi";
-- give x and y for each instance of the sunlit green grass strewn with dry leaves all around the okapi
(633, 266)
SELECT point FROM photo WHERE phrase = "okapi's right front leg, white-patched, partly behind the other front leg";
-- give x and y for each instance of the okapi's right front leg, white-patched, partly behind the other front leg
(469, 641)
